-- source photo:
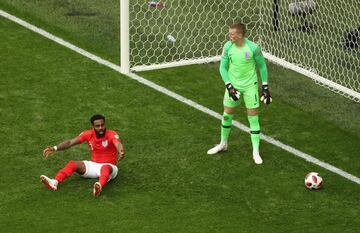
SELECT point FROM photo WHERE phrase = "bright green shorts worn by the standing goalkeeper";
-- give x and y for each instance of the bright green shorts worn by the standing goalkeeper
(250, 97)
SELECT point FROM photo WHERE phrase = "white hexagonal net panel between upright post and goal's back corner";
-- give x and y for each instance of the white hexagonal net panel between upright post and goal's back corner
(181, 30)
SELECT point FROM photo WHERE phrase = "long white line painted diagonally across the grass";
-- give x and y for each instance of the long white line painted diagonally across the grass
(180, 98)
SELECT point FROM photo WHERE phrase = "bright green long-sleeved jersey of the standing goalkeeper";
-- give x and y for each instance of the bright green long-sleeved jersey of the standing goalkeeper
(238, 65)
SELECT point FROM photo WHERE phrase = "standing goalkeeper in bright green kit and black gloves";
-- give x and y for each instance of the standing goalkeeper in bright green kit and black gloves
(238, 70)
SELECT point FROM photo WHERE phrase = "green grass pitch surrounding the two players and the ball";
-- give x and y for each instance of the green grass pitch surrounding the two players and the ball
(166, 183)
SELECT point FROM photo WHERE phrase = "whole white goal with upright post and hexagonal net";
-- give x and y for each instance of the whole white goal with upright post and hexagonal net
(317, 38)
